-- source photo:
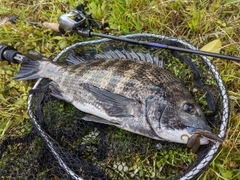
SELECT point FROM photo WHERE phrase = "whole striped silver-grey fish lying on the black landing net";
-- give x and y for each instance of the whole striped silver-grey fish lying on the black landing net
(128, 90)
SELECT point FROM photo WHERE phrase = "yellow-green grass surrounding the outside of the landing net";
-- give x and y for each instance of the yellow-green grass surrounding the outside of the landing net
(197, 22)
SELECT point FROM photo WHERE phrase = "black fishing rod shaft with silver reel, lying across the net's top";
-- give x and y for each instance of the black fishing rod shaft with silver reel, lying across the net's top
(79, 22)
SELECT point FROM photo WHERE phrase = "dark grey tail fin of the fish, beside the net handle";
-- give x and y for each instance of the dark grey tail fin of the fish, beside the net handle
(29, 70)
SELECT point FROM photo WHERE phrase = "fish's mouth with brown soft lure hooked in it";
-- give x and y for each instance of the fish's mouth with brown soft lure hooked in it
(201, 136)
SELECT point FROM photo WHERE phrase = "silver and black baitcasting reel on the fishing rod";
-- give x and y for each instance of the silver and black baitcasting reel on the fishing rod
(77, 19)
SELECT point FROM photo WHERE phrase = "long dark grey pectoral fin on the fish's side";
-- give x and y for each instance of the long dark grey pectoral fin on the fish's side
(113, 104)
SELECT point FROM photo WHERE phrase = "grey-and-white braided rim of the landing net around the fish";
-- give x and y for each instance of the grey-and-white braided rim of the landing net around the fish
(225, 114)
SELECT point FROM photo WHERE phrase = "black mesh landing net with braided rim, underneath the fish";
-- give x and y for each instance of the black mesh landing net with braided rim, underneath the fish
(63, 146)
